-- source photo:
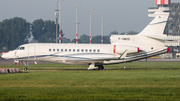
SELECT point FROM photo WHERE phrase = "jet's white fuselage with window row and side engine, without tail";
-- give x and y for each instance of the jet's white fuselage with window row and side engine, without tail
(62, 53)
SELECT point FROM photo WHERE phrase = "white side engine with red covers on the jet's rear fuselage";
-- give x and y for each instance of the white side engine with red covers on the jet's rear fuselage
(120, 49)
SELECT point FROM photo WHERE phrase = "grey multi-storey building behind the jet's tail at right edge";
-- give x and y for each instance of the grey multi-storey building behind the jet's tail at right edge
(172, 29)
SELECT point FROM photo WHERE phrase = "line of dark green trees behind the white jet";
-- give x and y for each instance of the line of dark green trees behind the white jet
(17, 31)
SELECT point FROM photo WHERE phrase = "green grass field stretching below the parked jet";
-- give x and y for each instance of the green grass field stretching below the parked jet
(140, 81)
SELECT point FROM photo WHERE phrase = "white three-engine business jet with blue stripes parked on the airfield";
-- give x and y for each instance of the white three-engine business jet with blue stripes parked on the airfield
(123, 48)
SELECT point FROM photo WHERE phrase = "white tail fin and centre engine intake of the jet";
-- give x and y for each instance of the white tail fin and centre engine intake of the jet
(151, 37)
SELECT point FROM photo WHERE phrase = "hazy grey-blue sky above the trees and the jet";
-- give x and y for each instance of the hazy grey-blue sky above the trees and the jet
(121, 15)
